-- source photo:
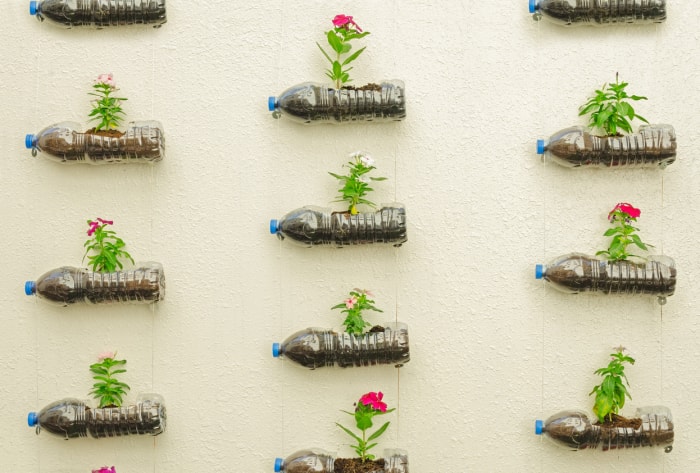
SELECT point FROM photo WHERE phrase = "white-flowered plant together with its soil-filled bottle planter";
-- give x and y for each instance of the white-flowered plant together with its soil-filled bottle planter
(312, 226)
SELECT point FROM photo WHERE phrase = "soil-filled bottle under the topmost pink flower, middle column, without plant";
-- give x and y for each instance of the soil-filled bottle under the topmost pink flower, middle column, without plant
(314, 103)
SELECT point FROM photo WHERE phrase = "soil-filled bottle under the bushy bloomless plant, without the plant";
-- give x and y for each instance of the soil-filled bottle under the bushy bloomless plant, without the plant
(651, 146)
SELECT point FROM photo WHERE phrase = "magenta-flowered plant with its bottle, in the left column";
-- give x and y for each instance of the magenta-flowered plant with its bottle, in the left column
(108, 281)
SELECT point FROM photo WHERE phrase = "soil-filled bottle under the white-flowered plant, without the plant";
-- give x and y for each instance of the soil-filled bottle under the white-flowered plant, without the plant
(312, 226)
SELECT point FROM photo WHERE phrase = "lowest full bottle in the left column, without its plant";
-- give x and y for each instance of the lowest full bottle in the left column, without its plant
(71, 418)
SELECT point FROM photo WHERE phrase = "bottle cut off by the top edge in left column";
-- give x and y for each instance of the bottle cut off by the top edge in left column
(100, 13)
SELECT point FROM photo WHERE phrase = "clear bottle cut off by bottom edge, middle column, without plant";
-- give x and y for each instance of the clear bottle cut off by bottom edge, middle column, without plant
(320, 461)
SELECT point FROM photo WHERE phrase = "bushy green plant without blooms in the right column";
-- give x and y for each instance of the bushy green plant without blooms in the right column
(609, 109)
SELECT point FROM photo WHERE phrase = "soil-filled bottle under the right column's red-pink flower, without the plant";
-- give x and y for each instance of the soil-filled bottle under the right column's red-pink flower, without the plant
(575, 272)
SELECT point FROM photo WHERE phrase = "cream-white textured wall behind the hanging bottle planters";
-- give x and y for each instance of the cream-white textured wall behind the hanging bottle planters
(492, 349)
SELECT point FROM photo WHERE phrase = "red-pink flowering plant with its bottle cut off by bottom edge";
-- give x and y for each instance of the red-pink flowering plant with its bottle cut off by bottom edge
(369, 406)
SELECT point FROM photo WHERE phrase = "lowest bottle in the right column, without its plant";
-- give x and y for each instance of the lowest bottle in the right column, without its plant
(652, 427)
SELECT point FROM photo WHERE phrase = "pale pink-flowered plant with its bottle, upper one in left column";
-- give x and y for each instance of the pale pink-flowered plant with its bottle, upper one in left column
(139, 142)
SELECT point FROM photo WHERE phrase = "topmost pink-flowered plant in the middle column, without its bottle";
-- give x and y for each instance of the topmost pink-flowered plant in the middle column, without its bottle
(344, 31)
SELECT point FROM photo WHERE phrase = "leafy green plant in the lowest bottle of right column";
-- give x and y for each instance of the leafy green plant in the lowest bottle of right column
(610, 394)
